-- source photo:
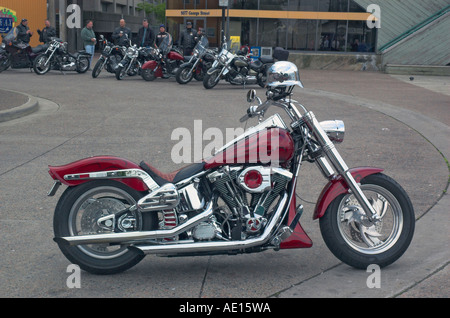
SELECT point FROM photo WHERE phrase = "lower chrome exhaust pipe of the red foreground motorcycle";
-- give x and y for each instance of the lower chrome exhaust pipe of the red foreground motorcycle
(197, 247)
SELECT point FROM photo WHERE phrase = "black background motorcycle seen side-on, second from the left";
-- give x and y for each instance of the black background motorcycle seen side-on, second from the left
(58, 57)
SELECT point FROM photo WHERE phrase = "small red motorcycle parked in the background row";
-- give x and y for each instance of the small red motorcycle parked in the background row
(165, 63)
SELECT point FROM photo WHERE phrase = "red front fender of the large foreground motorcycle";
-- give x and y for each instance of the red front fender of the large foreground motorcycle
(337, 187)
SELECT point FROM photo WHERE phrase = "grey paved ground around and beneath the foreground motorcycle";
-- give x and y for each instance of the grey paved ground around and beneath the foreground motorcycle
(386, 120)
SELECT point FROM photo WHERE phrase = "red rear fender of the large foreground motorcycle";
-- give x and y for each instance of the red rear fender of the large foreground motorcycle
(96, 164)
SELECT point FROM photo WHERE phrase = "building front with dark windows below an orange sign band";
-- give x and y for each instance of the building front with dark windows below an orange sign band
(303, 25)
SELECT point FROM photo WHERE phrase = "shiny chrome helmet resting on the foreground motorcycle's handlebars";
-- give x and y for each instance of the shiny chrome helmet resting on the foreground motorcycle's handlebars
(283, 74)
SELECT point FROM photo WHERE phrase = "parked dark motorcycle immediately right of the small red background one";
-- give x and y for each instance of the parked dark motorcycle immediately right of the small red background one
(199, 63)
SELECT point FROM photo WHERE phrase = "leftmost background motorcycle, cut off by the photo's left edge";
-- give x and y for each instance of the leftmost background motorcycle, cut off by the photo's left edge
(16, 54)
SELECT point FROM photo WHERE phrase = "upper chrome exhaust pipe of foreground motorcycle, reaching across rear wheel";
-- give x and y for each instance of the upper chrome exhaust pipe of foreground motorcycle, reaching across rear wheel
(125, 237)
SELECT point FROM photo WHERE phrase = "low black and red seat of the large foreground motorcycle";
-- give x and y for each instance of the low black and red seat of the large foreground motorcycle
(172, 177)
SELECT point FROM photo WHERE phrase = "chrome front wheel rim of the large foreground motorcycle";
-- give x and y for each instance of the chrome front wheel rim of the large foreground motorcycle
(362, 235)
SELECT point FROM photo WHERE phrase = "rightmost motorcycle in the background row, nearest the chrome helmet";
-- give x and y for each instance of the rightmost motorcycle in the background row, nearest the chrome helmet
(237, 69)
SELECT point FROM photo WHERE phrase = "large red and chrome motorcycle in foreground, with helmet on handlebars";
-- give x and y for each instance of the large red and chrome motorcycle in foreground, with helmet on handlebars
(240, 200)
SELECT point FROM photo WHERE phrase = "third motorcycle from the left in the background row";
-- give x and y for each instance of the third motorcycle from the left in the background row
(110, 58)
